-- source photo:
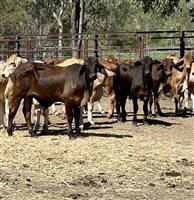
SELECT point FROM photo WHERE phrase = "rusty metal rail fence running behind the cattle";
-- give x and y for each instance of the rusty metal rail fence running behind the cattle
(129, 45)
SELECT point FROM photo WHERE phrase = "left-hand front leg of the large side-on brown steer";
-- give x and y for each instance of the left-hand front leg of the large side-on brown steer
(69, 112)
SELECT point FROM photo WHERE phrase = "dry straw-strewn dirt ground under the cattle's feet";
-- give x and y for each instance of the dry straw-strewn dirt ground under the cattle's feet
(111, 161)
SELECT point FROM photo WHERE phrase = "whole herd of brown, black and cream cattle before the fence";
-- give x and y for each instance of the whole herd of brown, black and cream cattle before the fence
(79, 83)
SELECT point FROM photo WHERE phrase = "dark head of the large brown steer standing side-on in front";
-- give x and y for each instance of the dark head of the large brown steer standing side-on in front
(91, 66)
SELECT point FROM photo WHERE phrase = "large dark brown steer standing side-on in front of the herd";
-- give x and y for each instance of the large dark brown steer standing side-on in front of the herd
(49, 84)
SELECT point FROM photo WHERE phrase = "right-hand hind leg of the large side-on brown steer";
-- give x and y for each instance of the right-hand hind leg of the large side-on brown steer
(27, 114)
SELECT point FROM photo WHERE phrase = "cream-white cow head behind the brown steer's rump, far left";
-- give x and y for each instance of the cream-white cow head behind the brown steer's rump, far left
(11, 63)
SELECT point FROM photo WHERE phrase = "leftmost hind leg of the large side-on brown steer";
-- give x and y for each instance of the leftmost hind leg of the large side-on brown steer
(13, 107)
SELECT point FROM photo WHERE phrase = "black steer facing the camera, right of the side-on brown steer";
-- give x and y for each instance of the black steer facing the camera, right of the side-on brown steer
(133, 81)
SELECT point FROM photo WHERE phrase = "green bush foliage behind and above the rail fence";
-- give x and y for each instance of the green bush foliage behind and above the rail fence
(26, 17)
